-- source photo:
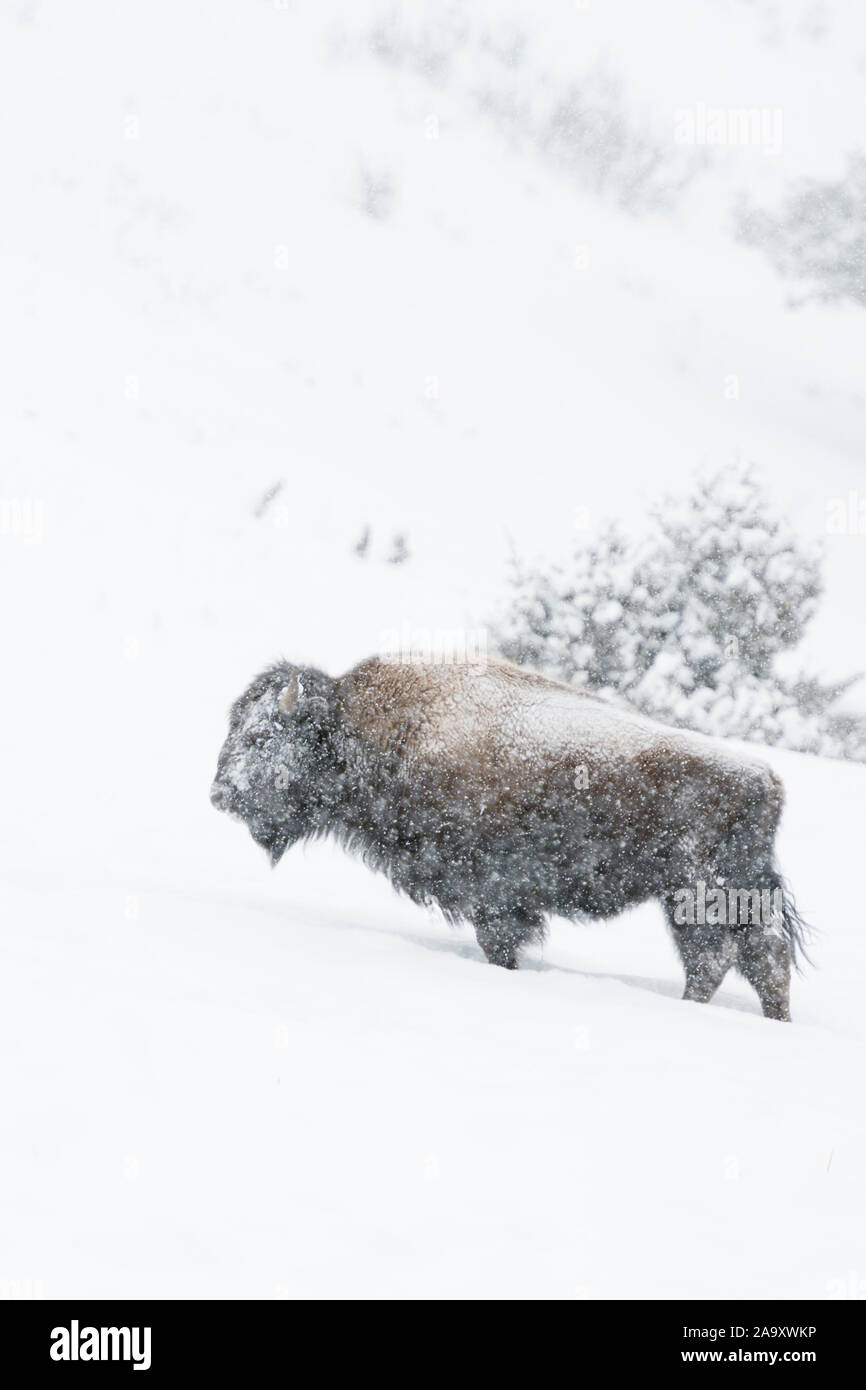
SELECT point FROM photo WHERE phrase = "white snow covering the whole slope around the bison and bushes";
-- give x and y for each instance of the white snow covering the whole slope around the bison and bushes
(226, 1081)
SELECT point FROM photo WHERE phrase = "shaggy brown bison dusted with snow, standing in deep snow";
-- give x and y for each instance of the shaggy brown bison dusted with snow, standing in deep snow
(504, 799)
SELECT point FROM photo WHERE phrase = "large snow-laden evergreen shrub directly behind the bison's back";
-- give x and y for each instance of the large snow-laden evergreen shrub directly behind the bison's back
(689, 625)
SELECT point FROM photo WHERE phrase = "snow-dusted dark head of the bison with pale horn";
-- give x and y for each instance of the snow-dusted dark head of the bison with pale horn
(275, 762)
